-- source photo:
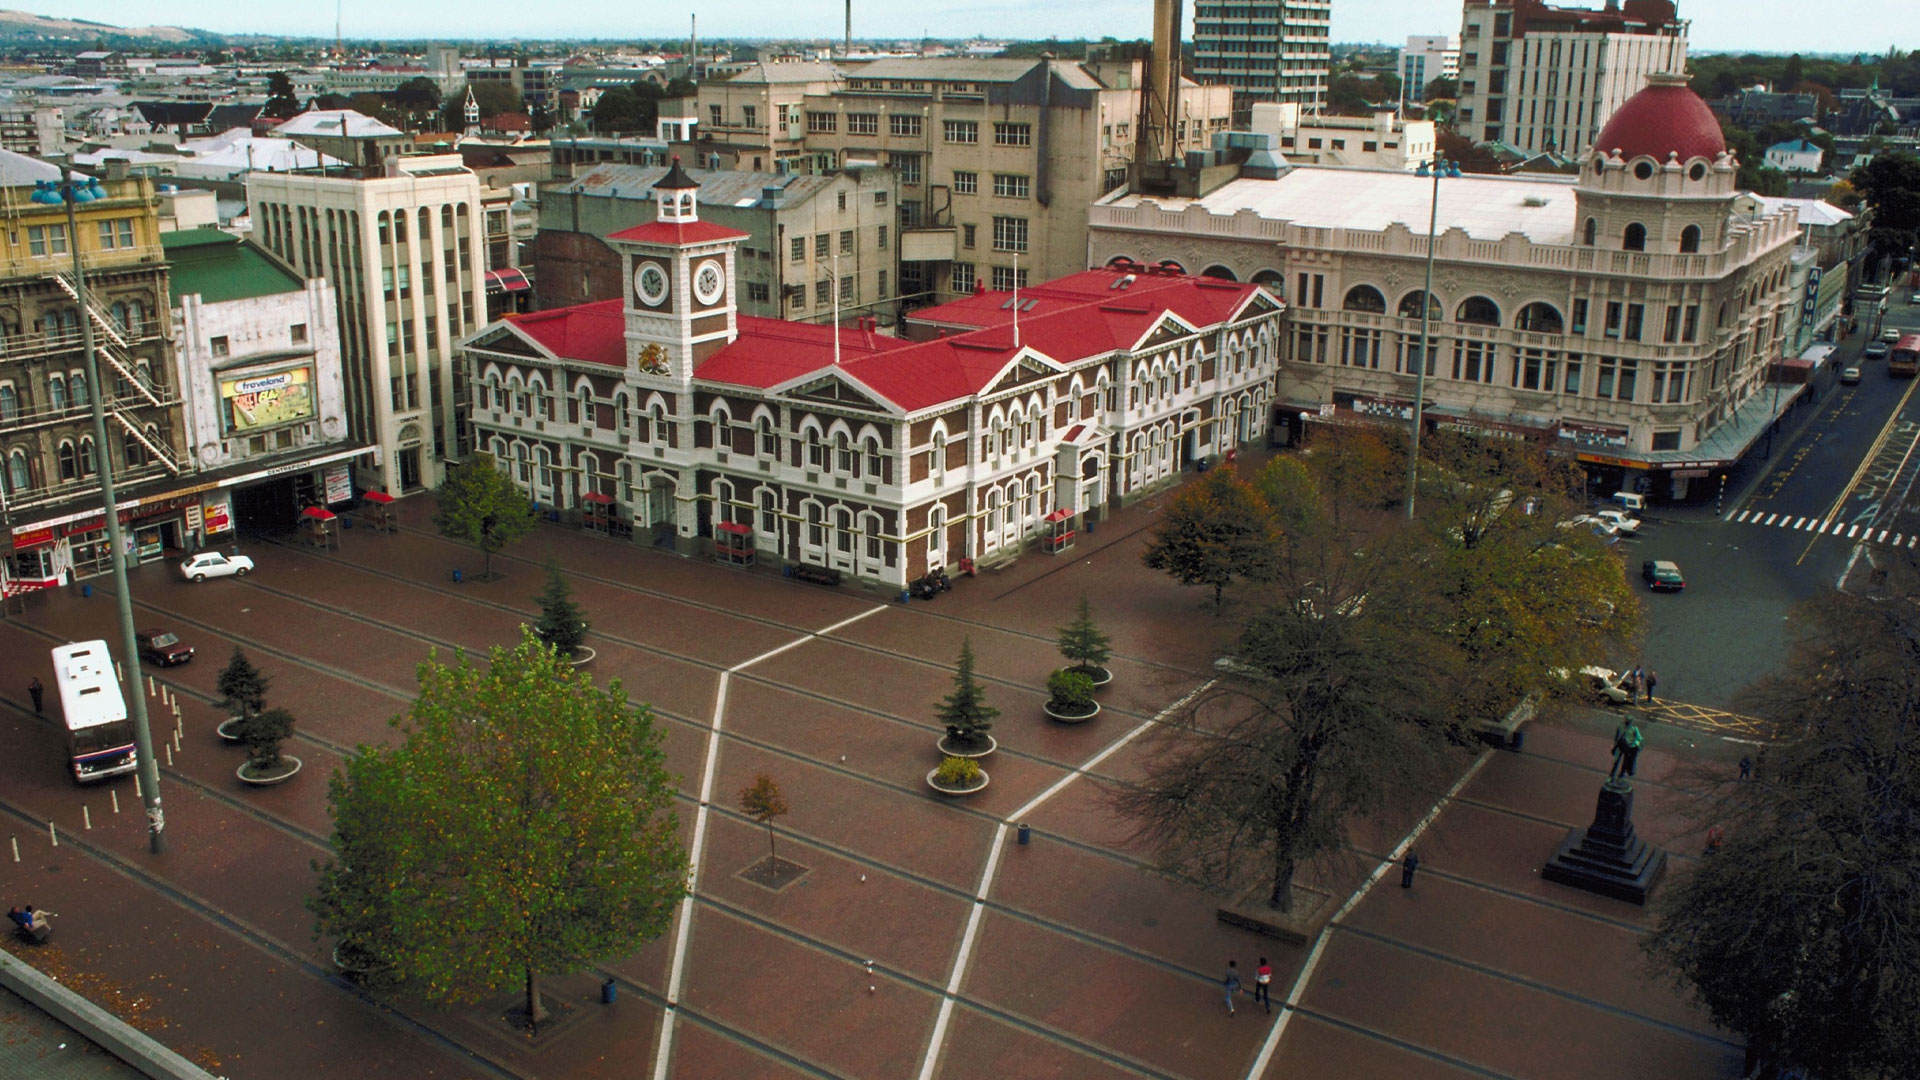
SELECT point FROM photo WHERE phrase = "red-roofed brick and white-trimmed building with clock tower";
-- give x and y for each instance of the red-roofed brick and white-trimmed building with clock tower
(673, 416)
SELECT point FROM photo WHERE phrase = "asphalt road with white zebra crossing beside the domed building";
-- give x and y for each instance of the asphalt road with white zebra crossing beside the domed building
(1838, 487)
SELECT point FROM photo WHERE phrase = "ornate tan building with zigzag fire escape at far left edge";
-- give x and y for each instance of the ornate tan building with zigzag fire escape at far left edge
(51, 506)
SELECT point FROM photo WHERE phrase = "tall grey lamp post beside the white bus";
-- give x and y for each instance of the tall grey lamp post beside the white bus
(72, 191)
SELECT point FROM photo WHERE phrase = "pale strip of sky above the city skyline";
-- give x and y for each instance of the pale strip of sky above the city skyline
(1719, 26)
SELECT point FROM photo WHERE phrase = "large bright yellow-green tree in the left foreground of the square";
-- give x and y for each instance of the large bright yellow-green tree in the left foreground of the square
(521, 829)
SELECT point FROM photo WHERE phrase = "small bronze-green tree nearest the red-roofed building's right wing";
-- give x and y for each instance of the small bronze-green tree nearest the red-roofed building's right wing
(1212, 531)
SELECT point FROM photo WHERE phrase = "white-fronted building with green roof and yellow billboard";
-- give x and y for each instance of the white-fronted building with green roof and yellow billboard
(258, 364)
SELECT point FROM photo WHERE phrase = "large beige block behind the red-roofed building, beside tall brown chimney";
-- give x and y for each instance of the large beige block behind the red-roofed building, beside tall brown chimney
(997, 159)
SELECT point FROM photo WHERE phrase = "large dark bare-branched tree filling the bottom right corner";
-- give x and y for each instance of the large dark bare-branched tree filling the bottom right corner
(1800, 933)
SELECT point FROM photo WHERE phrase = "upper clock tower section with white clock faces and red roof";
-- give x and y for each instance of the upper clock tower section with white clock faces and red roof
(679, 276)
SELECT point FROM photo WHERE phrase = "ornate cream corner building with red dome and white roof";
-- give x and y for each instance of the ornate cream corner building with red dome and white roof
(1633, 314)
